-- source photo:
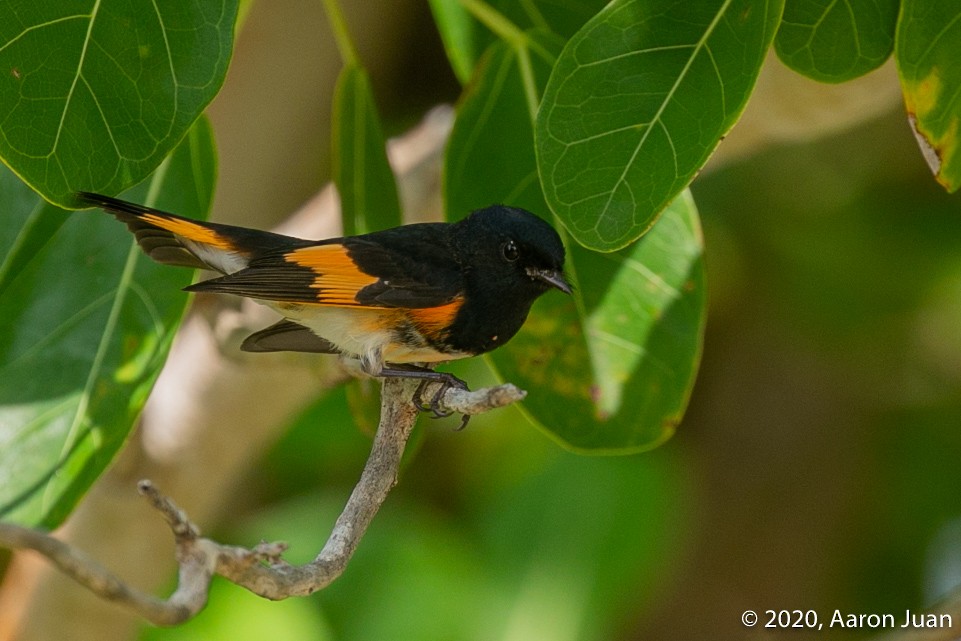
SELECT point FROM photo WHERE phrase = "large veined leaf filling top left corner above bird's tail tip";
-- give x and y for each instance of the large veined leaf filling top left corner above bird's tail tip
(95, 94)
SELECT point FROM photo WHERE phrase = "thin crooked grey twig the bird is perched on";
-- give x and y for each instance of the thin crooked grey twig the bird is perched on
(261, 569)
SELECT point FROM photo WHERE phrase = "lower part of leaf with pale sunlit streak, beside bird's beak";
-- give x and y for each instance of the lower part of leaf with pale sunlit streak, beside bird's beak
(613, 371)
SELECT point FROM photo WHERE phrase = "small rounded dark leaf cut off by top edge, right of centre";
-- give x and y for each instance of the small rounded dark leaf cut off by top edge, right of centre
(835, 41)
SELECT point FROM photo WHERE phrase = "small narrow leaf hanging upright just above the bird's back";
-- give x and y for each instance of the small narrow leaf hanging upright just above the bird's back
(362, 173)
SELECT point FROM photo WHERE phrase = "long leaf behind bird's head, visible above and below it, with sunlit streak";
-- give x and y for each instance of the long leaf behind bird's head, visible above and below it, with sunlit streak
(610, 369)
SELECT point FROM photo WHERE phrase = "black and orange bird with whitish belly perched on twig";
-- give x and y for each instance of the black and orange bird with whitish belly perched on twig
(390, 302)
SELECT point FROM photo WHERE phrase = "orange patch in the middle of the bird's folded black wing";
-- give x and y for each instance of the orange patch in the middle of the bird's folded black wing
(337, 279)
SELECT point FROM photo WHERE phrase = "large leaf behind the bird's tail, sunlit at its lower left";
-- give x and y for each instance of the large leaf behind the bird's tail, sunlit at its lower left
(86, 326)
